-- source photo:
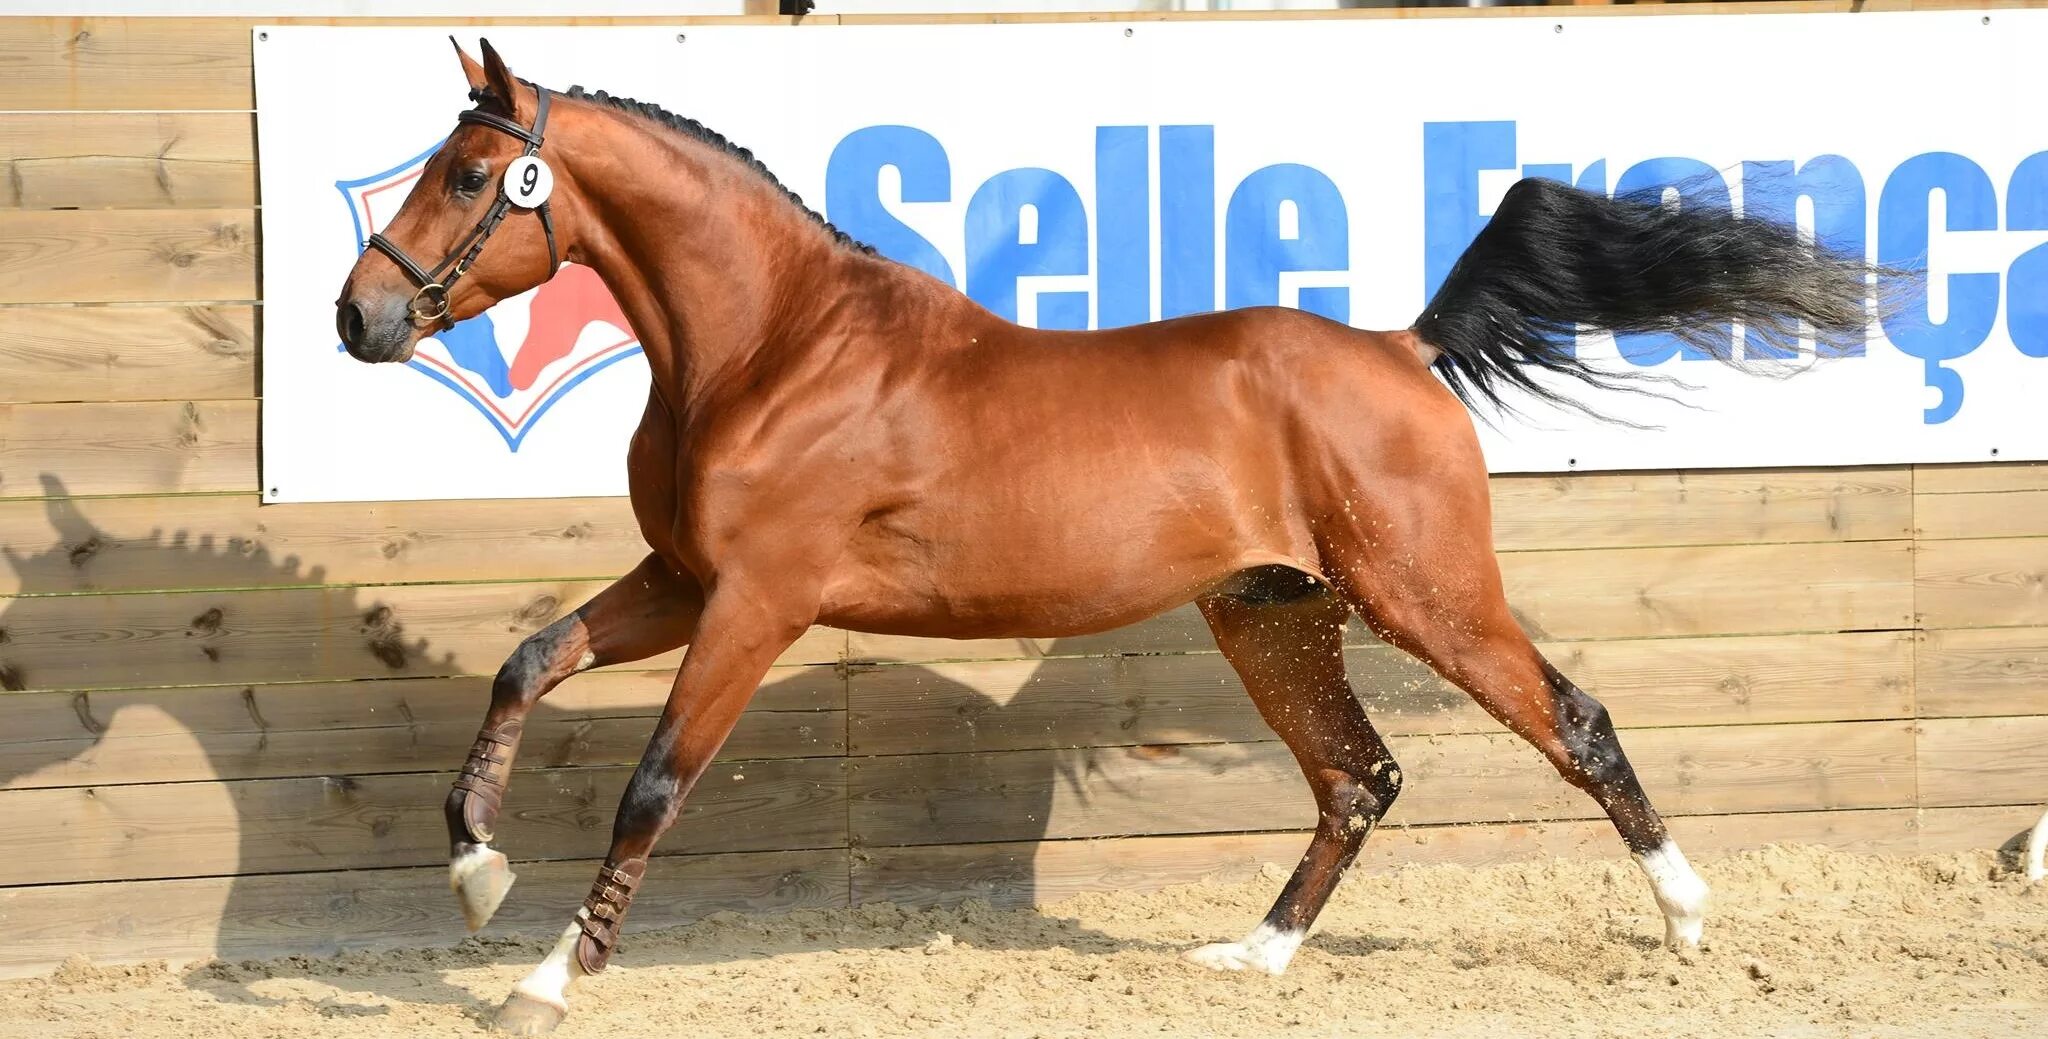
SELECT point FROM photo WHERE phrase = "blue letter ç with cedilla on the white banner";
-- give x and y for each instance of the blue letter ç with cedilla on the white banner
(1973, 300)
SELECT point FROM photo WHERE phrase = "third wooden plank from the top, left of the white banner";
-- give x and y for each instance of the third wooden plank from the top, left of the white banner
(128, 255)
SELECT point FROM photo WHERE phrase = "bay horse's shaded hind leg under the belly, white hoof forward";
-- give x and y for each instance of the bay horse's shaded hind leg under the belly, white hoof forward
(1291, 659)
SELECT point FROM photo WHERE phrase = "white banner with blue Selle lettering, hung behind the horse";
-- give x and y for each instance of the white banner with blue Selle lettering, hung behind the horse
(1152, 169)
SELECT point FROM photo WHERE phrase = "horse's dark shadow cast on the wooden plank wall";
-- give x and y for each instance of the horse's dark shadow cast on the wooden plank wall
(275, 753)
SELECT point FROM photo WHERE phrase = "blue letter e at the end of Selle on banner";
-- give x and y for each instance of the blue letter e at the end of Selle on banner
(1256, 249)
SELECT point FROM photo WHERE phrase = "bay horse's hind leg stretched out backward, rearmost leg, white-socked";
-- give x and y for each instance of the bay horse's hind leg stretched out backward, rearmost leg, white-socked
(1435, 589)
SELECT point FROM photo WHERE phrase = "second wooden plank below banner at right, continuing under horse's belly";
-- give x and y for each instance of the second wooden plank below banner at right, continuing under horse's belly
(1574, 595)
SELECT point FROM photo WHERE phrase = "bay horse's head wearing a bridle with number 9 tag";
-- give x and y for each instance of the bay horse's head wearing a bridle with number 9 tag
(480, 224)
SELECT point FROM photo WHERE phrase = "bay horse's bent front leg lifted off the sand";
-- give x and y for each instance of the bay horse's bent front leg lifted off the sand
(644, 614)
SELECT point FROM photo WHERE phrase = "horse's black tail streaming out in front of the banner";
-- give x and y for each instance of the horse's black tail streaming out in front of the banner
(1555, 261)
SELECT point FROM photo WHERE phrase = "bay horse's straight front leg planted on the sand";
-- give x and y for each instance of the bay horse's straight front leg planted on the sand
(742, 632)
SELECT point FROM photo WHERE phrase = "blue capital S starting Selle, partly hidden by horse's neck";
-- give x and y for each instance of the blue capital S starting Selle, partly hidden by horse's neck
(853, 192)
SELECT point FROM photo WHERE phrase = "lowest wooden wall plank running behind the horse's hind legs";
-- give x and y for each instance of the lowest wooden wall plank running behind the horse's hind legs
(1035, 874)
